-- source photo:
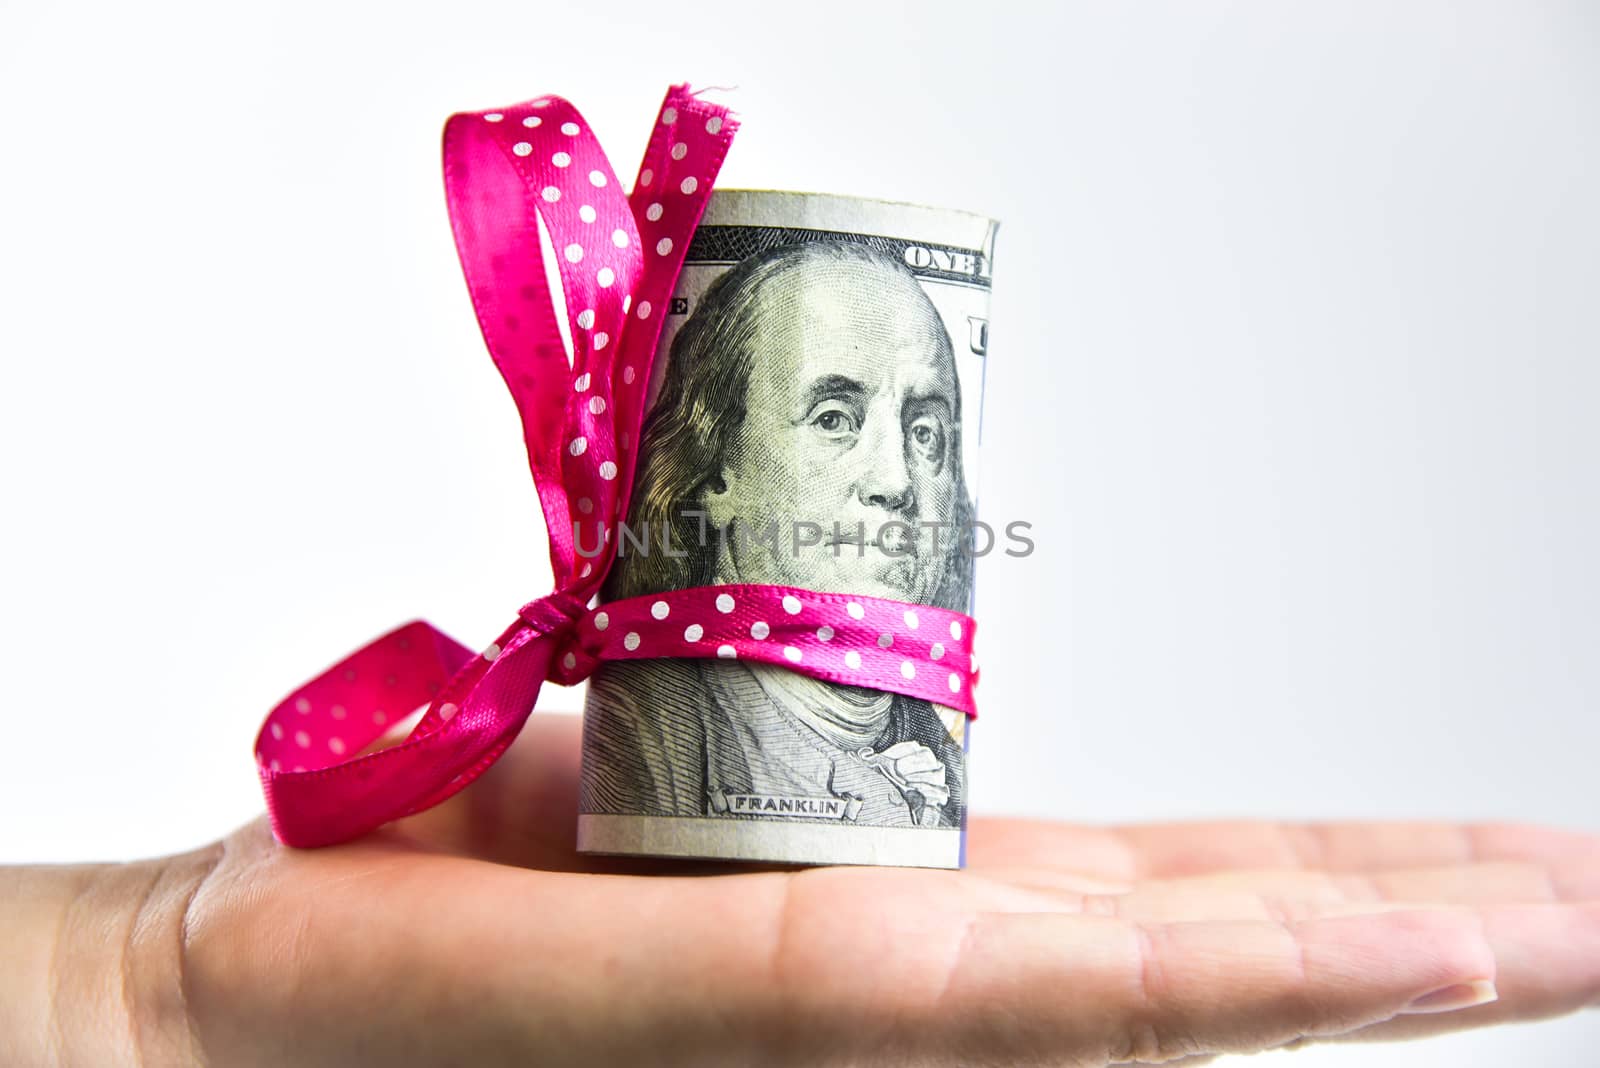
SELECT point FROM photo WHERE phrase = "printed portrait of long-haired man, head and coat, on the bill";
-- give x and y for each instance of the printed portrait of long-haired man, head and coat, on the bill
(814, 385)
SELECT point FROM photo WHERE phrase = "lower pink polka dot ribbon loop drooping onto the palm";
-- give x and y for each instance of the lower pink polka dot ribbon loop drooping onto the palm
(478, 704)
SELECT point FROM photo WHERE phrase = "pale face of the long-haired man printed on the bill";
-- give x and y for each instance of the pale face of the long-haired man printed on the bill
(852, 413)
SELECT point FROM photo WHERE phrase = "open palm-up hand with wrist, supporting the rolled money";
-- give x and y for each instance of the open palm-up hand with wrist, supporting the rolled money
(474, 934)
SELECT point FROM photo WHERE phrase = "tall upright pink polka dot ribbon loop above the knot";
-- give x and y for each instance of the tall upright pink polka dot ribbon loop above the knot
(508, 173)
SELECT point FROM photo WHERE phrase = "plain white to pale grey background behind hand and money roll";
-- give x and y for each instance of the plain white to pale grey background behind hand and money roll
(1294, 370)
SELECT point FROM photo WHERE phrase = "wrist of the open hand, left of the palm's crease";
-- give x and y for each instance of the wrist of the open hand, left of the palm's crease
(94, 962)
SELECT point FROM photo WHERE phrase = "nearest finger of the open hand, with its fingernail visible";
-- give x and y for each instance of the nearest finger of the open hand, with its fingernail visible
(1156, 992)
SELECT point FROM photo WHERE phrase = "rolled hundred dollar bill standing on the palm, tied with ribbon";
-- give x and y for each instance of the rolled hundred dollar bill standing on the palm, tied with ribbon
(822, 369)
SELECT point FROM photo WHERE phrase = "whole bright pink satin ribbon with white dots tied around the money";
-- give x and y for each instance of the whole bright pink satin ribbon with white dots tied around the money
(506, 173)
